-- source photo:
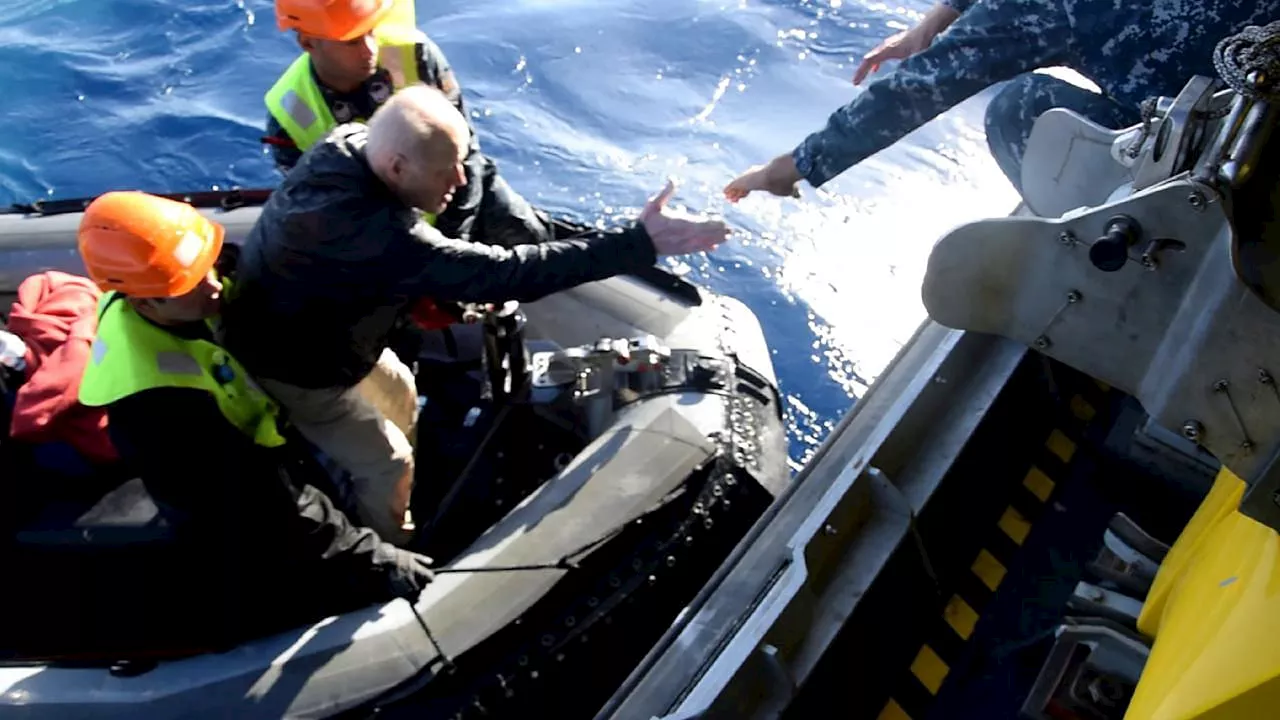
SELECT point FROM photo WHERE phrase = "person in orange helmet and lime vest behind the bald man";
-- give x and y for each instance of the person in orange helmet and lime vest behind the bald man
(350, 66)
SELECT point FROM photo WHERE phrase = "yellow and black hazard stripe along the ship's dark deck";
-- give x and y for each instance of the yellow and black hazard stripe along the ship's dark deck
(945, 639)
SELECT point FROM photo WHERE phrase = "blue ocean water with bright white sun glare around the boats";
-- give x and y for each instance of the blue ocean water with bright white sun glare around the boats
(587, 107)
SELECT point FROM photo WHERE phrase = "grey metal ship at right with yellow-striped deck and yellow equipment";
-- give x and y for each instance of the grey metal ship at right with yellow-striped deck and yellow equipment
(1062, 500)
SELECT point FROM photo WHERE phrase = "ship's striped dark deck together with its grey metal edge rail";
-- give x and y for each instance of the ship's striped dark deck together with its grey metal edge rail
(927, 554)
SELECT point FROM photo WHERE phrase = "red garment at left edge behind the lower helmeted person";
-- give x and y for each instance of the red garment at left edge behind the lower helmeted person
(57, 317)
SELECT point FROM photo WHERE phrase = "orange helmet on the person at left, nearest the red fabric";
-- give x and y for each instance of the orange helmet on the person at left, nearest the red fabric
(148, 247)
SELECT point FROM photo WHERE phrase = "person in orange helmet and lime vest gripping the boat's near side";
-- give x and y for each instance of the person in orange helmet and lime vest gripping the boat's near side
(269, 550)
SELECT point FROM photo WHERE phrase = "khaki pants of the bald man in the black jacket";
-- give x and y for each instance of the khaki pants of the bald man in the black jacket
(371, 431)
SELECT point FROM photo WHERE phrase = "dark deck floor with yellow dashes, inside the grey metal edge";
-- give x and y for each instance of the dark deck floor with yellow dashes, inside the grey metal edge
(963, 617)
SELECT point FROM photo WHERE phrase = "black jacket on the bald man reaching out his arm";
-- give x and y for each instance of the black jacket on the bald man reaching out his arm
(336, 259)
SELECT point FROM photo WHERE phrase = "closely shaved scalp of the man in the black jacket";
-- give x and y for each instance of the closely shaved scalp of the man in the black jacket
(410, 125)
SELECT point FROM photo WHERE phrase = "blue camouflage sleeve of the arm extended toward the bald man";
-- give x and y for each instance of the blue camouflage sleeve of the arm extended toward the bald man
(995, 42)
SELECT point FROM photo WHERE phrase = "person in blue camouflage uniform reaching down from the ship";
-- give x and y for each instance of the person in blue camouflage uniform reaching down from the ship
(1132, 49)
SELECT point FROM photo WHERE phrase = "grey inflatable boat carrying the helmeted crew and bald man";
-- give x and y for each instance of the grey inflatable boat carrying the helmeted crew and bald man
(623, 438)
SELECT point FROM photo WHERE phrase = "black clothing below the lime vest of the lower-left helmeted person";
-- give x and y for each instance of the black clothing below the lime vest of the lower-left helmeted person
(271, 550)
